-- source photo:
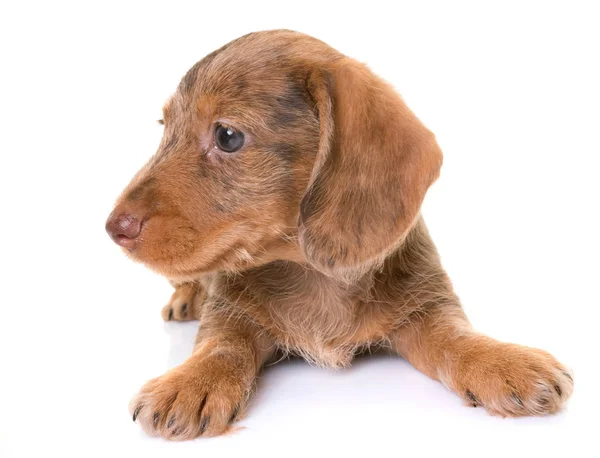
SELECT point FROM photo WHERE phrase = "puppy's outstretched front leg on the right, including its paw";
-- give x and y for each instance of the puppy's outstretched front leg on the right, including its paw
(506, 379)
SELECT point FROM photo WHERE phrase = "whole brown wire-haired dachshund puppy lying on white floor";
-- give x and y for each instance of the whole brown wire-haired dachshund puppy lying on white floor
(283, 204)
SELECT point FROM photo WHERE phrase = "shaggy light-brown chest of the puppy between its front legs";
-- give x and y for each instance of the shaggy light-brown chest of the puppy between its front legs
(306, 314)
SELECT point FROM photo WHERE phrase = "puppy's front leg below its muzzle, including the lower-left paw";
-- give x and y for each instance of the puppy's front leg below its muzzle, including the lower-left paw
(209, 391)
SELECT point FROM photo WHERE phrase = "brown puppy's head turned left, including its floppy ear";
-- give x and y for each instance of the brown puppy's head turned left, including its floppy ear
(277, 146)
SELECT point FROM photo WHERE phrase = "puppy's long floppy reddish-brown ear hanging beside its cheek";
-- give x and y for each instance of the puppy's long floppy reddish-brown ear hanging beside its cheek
(375, 162)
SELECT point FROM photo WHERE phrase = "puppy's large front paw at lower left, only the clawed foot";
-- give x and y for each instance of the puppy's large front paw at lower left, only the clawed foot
(199, 398)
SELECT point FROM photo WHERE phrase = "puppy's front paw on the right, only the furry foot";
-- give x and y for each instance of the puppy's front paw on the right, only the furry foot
(512, 380)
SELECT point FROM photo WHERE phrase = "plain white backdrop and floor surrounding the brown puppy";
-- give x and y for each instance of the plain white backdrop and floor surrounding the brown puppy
(512, 93)
